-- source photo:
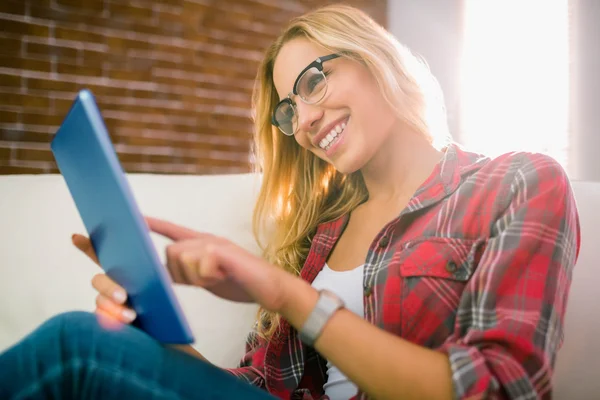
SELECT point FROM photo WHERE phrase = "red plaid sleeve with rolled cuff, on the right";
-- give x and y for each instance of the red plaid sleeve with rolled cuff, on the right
(509, 325)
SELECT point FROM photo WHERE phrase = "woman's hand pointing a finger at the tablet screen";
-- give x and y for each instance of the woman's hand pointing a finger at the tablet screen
(221, 267)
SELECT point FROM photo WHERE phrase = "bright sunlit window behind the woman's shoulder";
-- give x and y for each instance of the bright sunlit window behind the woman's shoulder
(515, 77)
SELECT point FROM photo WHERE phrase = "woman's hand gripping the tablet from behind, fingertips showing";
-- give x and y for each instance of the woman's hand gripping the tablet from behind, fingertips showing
(111, 297)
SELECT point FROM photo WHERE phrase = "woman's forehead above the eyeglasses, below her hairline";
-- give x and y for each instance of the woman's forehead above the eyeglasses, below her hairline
(293, 57)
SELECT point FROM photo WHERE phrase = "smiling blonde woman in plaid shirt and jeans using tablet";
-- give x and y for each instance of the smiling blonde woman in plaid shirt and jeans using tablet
(396, 264)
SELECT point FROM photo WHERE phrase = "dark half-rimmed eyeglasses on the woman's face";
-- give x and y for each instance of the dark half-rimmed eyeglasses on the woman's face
(310, 86)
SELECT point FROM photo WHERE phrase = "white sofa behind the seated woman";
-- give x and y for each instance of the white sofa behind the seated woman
(42, 274)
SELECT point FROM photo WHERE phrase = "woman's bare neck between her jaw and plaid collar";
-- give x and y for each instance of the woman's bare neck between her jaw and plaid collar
(402, 164)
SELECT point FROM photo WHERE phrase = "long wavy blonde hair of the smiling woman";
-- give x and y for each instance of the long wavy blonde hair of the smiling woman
(299, 191)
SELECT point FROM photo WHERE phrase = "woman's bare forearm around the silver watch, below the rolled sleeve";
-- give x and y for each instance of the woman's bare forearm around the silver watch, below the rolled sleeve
(371, 357)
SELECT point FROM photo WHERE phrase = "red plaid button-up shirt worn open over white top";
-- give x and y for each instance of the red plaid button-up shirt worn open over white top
(477, 266)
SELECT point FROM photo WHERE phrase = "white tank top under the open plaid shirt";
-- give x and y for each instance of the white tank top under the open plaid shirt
(348, 285)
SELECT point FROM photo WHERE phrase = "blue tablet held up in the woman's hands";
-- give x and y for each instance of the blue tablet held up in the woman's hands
(88, 162)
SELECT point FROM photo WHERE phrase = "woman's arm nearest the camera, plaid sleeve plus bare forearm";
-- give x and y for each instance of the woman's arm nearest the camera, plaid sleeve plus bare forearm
(510, 334)
